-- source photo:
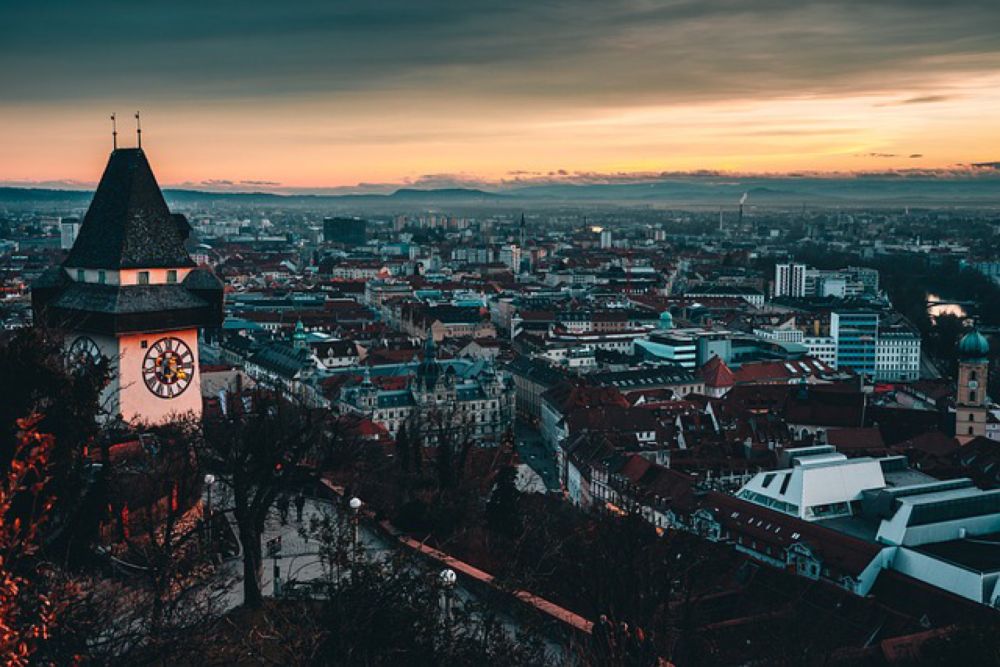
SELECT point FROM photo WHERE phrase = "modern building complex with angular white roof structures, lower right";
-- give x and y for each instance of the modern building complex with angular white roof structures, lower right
(943, 533)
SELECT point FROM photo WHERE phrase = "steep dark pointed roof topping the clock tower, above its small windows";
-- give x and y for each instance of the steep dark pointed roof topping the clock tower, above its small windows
(128, 224)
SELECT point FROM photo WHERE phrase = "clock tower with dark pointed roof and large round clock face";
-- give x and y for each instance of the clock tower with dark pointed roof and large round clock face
(128, 290)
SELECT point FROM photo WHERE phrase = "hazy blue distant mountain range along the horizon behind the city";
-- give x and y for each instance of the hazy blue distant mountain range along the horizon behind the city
(719, 191)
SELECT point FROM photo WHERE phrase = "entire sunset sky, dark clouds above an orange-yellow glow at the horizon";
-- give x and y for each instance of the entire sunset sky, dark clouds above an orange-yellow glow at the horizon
(322, 94)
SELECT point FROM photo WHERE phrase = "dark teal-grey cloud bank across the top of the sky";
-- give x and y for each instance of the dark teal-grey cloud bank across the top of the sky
(591, 51)
